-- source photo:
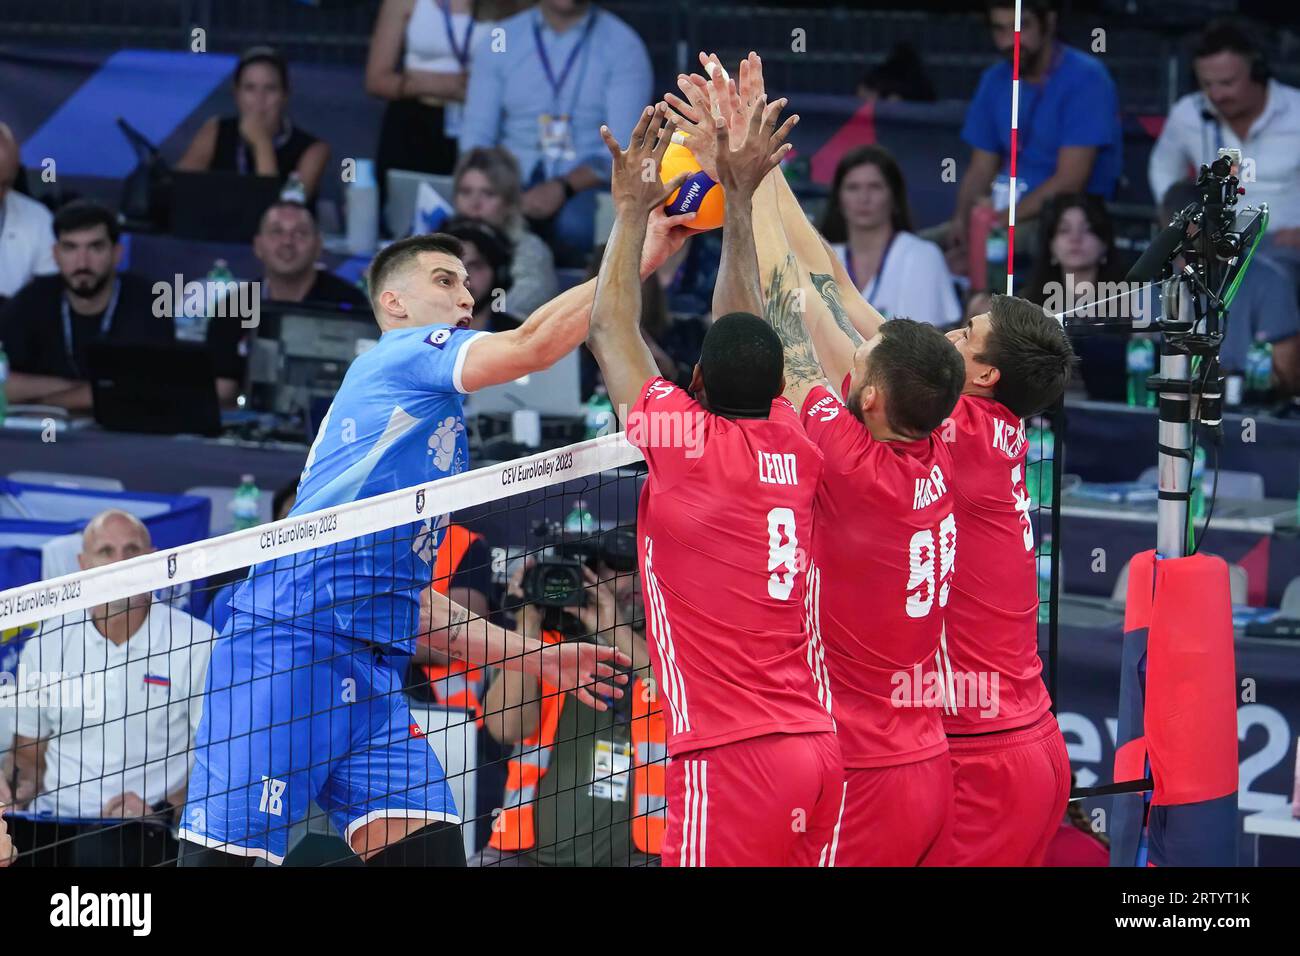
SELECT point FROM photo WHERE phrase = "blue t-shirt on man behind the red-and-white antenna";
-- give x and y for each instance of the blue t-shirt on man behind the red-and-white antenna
(1076, 105)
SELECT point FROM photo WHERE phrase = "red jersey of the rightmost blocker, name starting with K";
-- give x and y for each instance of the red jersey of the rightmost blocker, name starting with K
(991, 650)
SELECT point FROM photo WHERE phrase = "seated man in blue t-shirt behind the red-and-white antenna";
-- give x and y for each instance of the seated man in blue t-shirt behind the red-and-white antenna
(1071, 139)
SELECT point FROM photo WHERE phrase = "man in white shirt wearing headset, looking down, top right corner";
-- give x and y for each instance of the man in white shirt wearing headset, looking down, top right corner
(1240, 106)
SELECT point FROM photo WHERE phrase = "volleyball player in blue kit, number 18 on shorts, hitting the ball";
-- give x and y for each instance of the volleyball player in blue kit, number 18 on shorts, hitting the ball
(304, 694)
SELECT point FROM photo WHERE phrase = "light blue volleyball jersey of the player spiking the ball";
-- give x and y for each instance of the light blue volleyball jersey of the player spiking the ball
(397, 421)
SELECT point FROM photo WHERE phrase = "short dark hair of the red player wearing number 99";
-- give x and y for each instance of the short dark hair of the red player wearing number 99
(921, 374)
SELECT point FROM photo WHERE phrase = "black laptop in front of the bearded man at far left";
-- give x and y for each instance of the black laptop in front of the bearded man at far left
(158, 390)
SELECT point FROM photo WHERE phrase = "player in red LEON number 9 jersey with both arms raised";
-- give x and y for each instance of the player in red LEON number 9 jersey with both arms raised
(755, 776)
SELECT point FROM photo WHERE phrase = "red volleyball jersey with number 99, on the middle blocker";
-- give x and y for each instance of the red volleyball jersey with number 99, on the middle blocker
(882, 566)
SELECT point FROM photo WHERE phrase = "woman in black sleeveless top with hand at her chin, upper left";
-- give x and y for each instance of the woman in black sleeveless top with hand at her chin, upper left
(261, 140)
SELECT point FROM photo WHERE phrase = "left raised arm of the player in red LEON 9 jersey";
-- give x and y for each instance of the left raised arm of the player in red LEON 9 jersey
(616, 330)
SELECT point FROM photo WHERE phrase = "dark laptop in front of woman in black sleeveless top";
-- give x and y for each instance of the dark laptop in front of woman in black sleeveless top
(220, 207)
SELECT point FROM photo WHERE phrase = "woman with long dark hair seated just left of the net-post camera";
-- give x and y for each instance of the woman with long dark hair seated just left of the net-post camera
(1077, 266)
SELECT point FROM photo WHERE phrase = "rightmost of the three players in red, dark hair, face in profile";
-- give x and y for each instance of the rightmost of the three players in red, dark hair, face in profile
(1011, 769)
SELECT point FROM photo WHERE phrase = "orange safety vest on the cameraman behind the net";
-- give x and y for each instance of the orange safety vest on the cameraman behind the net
(515, 829)
